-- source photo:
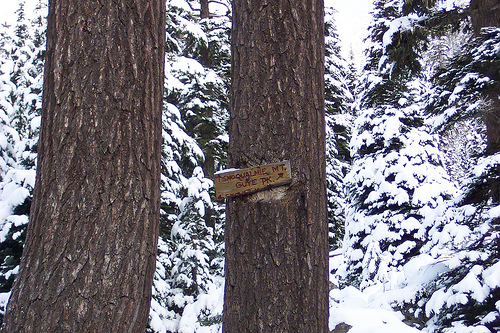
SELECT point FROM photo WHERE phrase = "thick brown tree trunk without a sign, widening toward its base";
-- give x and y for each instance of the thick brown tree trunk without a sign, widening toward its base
(90, 250)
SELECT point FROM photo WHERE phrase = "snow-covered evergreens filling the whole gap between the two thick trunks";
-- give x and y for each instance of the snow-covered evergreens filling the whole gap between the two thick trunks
(188, 282)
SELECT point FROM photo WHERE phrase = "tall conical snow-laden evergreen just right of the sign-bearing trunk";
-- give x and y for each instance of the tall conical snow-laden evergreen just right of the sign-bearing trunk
(398, 188)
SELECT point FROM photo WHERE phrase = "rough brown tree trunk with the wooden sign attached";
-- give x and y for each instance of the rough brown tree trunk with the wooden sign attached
(277, 240)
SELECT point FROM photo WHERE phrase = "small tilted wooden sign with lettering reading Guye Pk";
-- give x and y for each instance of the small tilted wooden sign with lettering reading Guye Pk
(235, 182)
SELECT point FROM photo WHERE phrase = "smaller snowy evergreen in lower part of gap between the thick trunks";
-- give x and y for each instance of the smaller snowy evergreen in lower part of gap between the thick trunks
(188, 262)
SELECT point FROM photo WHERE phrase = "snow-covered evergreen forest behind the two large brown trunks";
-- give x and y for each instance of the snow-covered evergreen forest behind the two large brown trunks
(413, 224)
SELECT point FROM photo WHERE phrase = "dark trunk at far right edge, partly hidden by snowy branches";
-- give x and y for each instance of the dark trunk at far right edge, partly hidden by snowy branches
(486, 13)
